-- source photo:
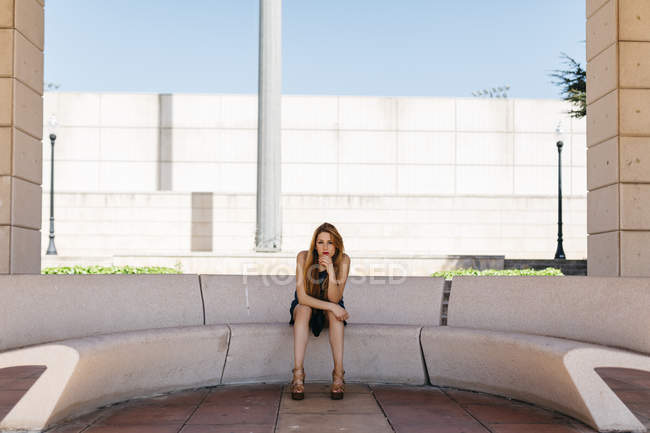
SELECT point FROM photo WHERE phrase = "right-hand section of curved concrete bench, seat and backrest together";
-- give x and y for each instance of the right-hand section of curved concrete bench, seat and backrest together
(539, 339)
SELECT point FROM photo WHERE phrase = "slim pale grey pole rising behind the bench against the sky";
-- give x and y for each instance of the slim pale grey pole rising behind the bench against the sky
(268, 233)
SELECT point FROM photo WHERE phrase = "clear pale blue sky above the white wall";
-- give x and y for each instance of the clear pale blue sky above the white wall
(333, 47)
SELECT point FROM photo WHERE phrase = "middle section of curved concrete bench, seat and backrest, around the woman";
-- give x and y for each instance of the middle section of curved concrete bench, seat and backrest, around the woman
(382, 339)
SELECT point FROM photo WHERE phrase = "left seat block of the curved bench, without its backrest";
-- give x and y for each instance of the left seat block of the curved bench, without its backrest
(85, 373)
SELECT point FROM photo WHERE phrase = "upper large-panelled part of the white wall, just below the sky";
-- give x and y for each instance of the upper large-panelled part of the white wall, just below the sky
(330, 144)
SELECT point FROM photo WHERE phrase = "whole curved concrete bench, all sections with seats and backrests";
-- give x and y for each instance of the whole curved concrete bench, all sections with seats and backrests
(105, 339)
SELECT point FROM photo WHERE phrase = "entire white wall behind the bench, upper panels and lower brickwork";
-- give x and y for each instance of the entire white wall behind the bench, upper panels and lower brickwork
(400, 175)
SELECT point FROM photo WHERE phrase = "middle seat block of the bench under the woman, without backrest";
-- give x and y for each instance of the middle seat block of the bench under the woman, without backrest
(263, 352)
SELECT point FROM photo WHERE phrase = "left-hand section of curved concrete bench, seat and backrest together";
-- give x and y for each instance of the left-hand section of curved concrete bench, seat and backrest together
(104, 339)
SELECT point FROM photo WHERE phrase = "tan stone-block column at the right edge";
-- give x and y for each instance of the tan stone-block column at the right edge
(618, 137)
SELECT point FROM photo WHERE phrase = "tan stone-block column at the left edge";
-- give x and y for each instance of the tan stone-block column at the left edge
(21, 128)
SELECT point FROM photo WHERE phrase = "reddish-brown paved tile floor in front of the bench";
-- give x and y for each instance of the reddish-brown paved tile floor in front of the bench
(366, 408)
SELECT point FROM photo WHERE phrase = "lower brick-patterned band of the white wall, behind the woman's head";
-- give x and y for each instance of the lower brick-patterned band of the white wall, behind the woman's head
(103, 224)
